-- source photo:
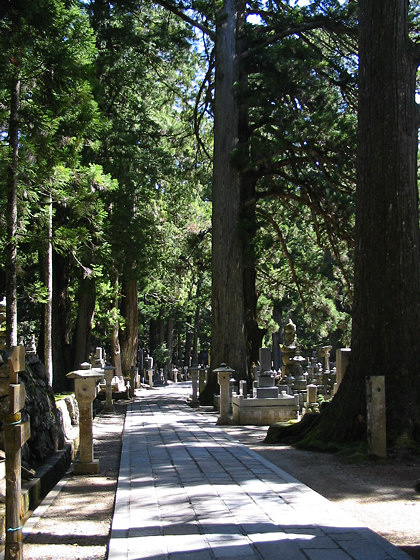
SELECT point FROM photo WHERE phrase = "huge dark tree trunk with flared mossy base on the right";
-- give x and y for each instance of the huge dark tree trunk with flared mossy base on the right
(386, 312)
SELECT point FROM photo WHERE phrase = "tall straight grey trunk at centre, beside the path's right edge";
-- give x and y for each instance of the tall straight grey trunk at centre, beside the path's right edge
(228, 314)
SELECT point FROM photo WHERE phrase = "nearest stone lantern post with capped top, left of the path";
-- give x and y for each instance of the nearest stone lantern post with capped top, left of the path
(85, 381)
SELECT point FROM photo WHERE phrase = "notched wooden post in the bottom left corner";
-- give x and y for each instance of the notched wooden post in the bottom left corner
(16, 433)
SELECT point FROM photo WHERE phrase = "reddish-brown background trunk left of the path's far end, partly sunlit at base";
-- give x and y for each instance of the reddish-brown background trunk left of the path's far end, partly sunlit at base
(129, 337)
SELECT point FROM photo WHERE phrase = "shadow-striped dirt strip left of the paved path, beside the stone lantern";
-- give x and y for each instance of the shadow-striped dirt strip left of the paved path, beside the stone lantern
(73, 522)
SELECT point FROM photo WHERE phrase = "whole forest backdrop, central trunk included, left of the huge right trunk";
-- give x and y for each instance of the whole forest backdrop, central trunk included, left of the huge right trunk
(129, 164)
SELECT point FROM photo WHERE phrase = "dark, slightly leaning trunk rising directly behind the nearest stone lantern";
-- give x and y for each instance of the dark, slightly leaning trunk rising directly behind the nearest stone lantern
(86, 298)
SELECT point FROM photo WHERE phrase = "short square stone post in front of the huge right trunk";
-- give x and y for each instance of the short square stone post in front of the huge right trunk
(376, 415)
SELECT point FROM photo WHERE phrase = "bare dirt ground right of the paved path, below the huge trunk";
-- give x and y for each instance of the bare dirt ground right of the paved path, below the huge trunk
(380, 494)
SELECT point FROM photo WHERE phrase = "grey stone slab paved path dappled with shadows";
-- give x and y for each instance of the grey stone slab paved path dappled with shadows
(188, 491)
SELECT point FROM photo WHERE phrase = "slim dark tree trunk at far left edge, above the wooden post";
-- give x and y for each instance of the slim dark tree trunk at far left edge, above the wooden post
(11, 217)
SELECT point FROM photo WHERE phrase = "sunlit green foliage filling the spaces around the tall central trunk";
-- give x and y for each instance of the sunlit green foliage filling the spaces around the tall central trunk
(111, 107)
